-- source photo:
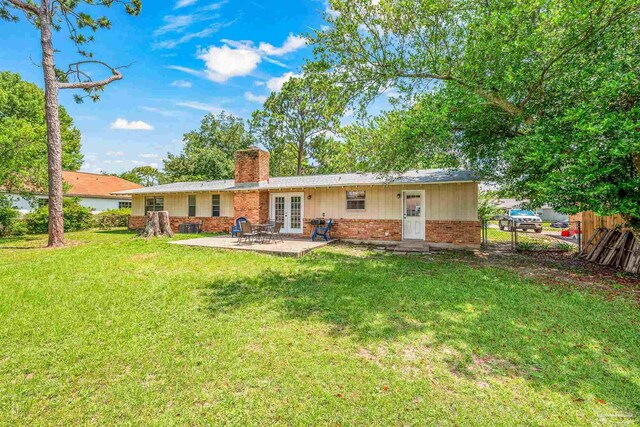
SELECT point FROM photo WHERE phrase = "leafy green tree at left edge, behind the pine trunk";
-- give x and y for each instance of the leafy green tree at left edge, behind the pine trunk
(23, 137)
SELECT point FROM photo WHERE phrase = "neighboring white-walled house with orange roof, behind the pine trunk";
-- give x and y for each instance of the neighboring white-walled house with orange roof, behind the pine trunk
(94, 190)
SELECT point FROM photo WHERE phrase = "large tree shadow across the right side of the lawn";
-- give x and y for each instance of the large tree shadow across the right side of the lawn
(561, 341)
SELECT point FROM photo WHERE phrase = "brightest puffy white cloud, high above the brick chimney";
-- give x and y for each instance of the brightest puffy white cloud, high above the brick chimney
(227, 61)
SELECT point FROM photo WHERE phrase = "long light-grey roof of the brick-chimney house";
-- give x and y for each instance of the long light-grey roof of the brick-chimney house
(425, 176)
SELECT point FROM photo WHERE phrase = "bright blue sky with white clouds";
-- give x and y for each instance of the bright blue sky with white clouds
(188, 57)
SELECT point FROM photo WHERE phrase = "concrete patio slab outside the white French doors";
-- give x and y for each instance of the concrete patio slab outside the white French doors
(290, 247)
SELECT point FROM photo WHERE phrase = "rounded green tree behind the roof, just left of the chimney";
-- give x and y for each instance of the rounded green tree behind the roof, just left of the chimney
(208, 152)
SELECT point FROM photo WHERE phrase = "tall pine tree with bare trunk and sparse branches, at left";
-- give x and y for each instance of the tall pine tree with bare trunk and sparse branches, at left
(46, 17)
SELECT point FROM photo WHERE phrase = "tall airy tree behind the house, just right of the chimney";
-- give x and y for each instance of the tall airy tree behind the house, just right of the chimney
(307, 108)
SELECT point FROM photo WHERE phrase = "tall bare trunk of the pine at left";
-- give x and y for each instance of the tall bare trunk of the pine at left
(54, 138)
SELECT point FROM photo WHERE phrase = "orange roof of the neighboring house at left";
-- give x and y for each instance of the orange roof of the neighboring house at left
(82, 184)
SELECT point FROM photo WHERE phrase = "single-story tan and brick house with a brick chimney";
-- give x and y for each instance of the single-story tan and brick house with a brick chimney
(434, 205)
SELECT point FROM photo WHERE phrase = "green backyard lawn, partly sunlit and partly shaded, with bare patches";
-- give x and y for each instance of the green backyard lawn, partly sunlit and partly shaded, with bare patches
(119, 330)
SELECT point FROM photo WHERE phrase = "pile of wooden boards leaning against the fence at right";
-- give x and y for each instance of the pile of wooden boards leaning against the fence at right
(613, 248)
